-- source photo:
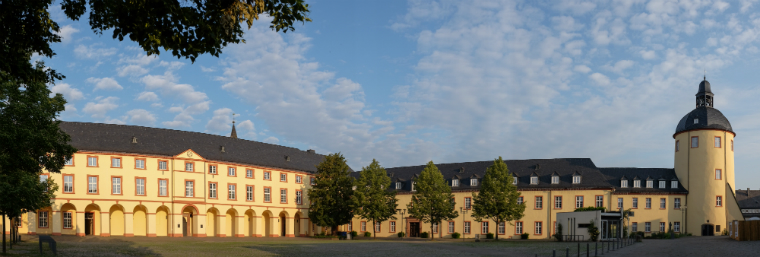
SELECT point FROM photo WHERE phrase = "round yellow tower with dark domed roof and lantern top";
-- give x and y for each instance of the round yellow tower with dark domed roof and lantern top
(704, 164)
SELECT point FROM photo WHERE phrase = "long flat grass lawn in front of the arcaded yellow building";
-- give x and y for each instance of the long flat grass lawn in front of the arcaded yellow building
(141, 246)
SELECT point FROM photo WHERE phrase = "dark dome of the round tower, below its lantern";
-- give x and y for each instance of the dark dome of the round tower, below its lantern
(709, 118)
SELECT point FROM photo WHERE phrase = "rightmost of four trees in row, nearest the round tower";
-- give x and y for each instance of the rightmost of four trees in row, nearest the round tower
(497, 198)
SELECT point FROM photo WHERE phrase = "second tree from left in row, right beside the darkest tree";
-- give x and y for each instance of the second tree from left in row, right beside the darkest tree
(373, 199)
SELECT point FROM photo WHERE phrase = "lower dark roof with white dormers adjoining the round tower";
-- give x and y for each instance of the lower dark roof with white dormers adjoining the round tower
(615, 175)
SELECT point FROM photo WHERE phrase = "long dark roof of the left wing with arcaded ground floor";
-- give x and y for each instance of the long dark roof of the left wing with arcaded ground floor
(156, 141)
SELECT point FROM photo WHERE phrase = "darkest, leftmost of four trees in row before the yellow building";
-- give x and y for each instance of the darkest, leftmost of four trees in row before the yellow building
(331, 195)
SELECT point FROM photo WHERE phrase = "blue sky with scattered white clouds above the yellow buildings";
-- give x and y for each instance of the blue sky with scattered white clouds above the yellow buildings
(406, 82)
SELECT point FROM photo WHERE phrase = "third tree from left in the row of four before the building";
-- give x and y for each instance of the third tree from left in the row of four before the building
(432, 201)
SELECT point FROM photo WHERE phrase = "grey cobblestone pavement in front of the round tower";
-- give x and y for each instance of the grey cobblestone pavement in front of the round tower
(722, 246)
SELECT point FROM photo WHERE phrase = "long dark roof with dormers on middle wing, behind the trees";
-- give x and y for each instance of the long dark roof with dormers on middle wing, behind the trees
(565, 168)
